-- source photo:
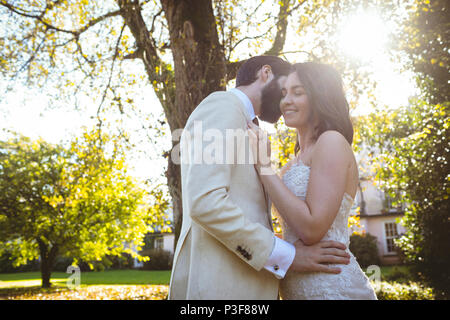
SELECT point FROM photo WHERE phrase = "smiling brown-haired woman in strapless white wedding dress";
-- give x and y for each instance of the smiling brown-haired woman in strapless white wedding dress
(317, 188)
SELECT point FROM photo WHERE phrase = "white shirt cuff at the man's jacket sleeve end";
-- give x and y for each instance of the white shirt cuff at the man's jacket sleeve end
(281, 258)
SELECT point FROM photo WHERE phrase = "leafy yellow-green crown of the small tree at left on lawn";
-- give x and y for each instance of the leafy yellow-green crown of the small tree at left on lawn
(76, 202)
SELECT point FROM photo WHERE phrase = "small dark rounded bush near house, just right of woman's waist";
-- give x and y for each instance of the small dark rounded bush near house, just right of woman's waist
(364, 248)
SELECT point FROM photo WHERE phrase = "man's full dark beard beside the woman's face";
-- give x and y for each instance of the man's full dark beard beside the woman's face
(270, 102)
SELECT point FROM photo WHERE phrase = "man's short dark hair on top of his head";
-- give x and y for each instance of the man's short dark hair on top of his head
(246, 74)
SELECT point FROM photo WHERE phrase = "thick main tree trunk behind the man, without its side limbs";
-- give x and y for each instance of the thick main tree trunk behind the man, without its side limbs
(200, 69)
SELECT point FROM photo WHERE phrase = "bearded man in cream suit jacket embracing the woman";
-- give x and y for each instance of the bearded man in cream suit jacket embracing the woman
(227, 248)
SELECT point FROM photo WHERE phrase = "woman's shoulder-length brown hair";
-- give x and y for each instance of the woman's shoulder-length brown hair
(326, 98)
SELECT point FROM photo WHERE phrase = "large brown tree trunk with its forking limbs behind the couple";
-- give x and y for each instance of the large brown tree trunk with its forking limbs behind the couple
(200, 66)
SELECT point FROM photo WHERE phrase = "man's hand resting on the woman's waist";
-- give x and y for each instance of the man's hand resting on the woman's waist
(317, 257)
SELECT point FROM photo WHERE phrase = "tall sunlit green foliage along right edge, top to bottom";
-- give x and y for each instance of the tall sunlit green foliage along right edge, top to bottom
(410, 145)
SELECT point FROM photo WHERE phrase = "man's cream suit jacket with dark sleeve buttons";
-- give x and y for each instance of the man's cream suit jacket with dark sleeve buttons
(226, 235)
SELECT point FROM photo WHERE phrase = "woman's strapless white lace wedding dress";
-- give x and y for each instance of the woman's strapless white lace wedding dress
(351, 283)
